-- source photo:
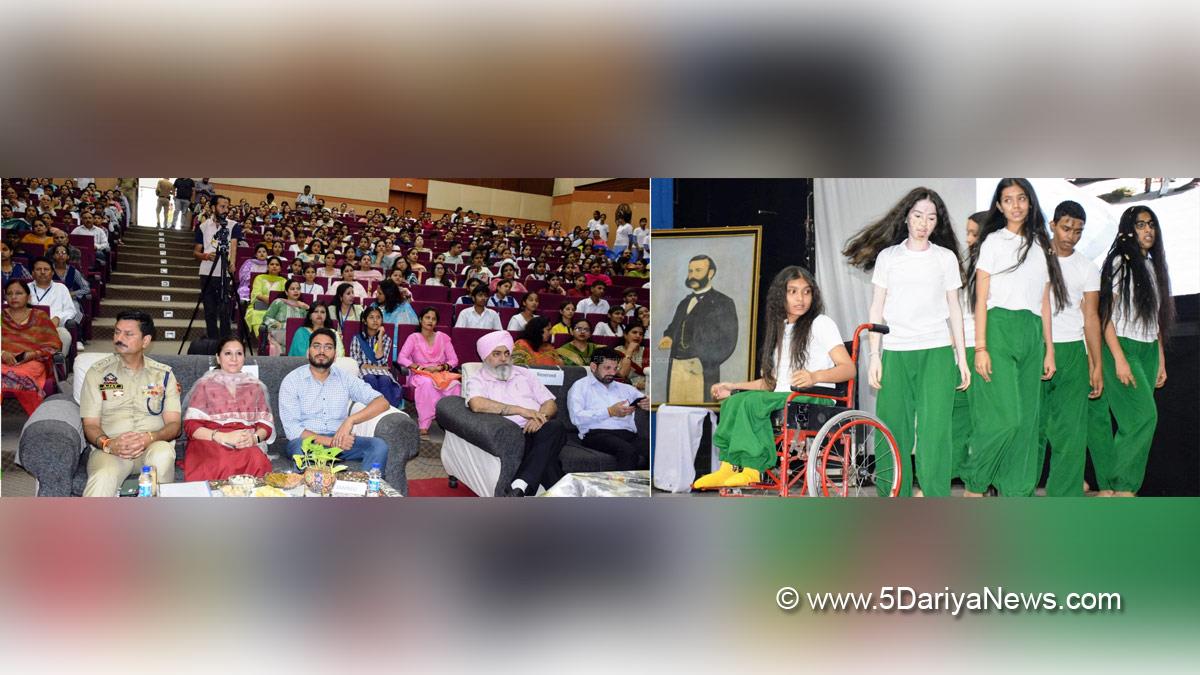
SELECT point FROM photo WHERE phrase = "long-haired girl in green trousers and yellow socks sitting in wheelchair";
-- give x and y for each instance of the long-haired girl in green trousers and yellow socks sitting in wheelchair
(801, 348)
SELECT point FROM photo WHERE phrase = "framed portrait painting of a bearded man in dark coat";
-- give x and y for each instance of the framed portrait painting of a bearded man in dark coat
(704, 307)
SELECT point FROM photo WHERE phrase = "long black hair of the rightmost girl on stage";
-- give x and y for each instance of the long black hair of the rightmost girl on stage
(1133, 284)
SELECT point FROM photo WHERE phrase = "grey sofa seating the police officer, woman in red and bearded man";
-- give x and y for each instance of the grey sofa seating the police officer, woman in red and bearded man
(52, 439)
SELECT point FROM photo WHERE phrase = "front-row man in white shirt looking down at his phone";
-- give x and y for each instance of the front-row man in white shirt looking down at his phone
(603, 410)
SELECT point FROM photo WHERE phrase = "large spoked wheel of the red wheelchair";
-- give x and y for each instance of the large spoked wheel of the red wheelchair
(843, 458)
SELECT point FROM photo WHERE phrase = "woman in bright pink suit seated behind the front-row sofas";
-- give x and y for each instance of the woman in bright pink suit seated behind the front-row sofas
(429, 356)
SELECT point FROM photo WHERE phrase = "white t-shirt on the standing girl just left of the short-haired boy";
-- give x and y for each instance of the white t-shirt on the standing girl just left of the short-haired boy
(1018, 289)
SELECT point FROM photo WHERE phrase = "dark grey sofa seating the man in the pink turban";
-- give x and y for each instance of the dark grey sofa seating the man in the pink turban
(506, 441)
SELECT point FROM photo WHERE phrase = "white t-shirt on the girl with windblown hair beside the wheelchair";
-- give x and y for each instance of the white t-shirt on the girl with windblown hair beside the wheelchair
(916, 308)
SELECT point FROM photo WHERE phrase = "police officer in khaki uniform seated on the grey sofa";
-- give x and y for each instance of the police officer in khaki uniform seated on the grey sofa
(131, 411)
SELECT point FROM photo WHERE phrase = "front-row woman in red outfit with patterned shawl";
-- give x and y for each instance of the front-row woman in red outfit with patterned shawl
(229, 421)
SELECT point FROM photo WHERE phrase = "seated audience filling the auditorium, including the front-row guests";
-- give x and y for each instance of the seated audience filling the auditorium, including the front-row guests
(405, 300)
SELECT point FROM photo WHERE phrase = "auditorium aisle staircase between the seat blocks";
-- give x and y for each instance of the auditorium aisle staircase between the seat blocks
(157, 274)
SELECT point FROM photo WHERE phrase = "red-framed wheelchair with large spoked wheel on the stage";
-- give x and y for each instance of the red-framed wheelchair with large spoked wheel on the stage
(830, 451)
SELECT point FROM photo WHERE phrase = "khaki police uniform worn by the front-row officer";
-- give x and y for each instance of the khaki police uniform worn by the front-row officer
(129, 401)
